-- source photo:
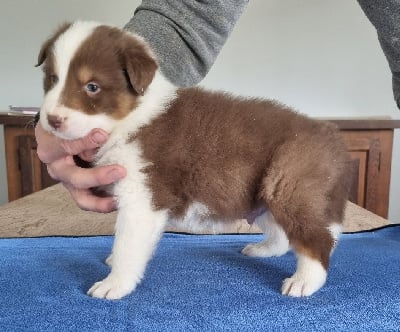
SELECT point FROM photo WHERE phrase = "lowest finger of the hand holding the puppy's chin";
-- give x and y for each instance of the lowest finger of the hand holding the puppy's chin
(89, 202)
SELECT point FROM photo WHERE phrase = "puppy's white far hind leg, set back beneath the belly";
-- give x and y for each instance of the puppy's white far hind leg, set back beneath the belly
(276, 242)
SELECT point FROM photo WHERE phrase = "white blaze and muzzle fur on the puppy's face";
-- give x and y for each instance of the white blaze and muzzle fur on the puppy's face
(75, 123)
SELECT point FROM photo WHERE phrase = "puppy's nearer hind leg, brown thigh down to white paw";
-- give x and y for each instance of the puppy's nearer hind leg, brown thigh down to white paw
(309, 208)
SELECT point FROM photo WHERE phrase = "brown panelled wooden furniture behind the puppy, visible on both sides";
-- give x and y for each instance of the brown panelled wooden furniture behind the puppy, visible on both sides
(368, 140)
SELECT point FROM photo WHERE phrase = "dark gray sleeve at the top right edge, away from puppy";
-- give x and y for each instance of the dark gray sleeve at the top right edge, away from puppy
(385, 16)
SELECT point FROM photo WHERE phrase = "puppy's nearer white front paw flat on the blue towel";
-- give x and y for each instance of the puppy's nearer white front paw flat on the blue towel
(111, 288)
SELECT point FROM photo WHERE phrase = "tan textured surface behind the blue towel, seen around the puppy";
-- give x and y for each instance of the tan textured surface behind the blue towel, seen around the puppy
(52, 212)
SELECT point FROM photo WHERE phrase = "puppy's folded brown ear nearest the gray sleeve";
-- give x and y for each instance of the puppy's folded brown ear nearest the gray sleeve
(139, 65)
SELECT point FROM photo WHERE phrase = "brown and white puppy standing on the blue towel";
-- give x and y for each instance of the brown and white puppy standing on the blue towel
(194, 154)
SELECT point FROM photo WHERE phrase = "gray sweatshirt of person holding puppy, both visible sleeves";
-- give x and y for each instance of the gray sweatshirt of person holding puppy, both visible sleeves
(187, 35)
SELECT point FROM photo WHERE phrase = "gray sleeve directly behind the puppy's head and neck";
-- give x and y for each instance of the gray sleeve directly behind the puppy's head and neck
(186, 35)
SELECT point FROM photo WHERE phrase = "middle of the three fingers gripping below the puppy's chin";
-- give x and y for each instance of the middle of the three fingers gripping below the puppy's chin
(66, 171)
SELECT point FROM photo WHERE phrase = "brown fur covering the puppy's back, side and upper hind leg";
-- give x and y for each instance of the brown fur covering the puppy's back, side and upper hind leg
(234, 154)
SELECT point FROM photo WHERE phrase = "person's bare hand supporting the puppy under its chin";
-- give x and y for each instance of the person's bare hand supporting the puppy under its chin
(58, 154)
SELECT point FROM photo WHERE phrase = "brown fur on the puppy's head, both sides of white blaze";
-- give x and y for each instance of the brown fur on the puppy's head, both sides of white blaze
(123, 72)
